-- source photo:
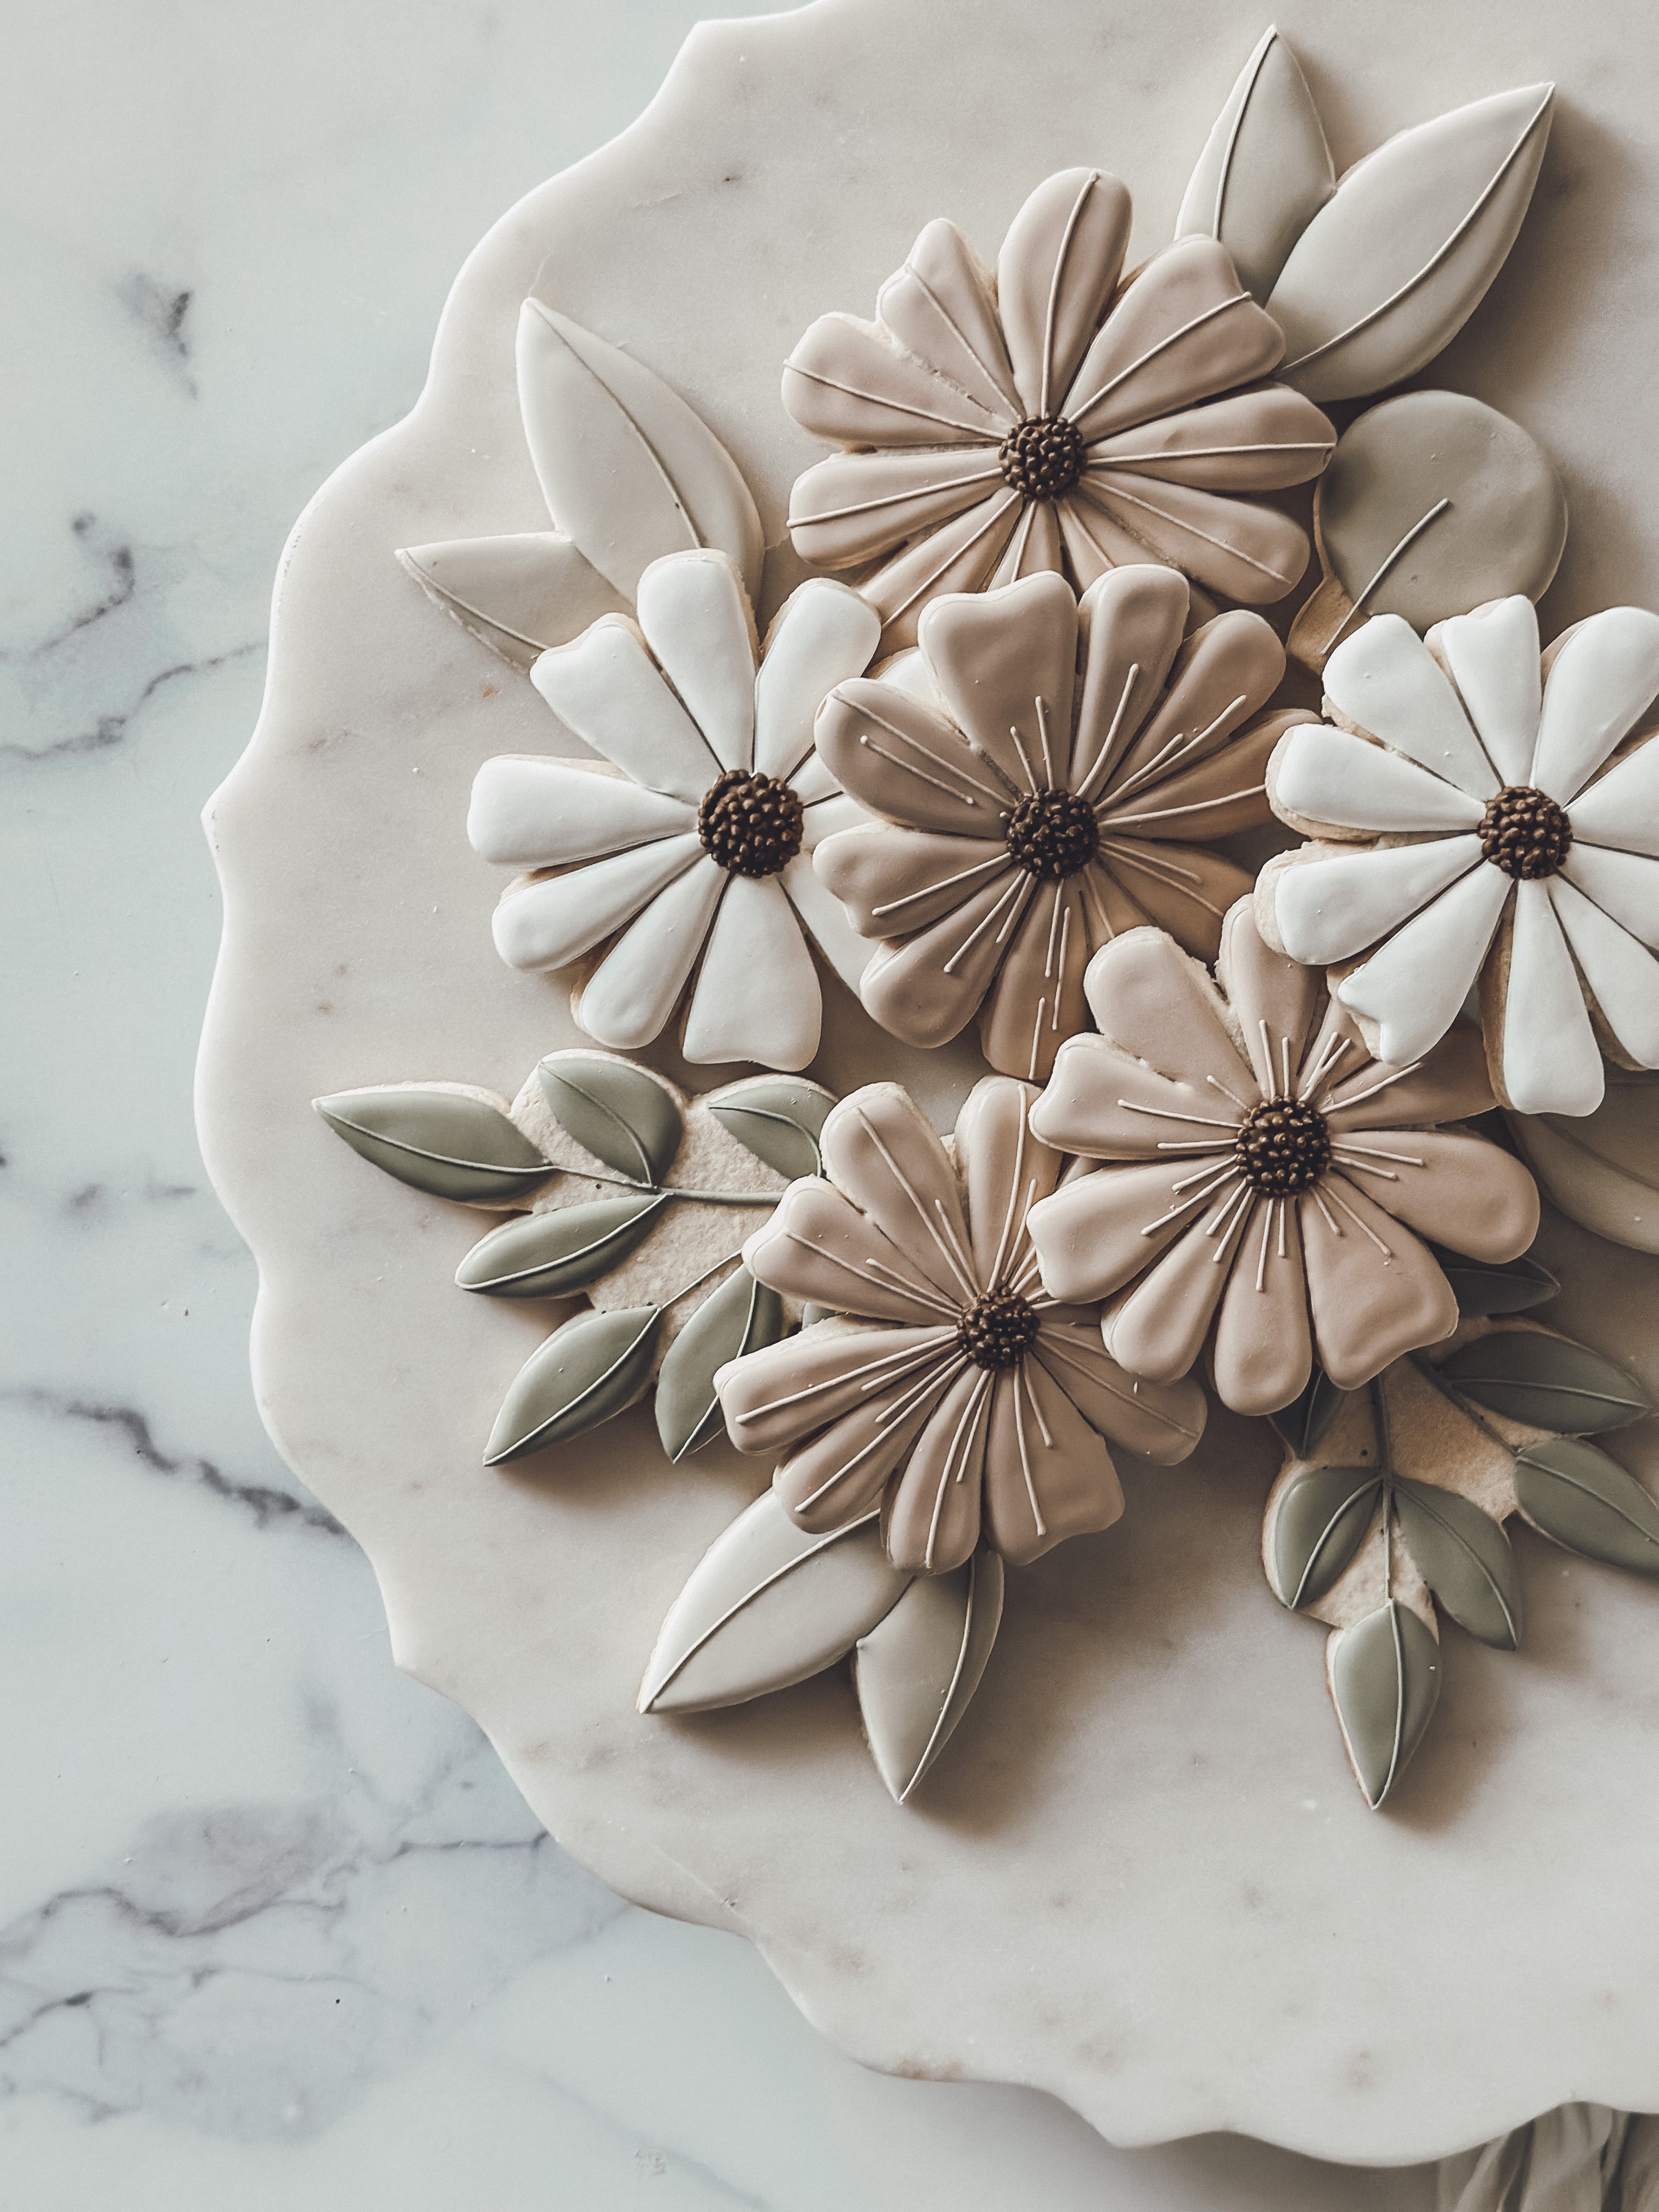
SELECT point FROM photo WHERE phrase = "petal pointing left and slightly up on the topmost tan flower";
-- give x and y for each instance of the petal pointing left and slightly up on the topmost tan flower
(846, 382)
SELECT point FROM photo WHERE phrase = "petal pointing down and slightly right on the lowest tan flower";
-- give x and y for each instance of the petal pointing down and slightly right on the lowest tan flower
(1047, 1472)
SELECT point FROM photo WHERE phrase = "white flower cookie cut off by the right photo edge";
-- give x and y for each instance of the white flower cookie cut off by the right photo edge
(1499, 844)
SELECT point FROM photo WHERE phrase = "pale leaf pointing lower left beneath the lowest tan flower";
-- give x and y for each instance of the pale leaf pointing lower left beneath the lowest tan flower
(769, 1607)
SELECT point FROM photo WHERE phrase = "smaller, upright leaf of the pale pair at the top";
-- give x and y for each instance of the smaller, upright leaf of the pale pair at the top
(1266, 169)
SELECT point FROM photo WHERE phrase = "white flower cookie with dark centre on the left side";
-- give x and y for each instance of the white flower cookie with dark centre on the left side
(698, 837)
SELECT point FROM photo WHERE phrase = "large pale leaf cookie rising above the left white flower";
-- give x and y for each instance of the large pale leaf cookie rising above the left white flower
(627, 468)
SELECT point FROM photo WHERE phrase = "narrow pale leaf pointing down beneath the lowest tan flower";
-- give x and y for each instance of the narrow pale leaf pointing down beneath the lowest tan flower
(919, 1669)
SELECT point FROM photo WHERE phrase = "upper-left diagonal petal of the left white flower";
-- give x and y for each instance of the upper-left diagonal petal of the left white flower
(607, 689)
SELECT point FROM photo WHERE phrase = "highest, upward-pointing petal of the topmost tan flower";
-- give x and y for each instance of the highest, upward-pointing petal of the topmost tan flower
(1056, 271)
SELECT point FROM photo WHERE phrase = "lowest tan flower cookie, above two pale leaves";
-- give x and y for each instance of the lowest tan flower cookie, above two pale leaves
(961, 1399)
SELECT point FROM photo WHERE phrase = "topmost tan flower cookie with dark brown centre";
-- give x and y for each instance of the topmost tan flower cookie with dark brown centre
(1045, 419)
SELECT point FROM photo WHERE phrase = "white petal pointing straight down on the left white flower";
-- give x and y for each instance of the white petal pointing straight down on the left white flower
(758, 992)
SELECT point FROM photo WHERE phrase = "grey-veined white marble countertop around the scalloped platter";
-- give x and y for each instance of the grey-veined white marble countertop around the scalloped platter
(275, 1928)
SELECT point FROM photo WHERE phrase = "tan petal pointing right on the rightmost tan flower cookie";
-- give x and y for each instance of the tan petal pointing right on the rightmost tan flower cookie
(1468, 1193)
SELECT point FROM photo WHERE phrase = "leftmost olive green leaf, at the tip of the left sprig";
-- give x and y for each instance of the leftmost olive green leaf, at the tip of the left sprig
(441, 1142)
